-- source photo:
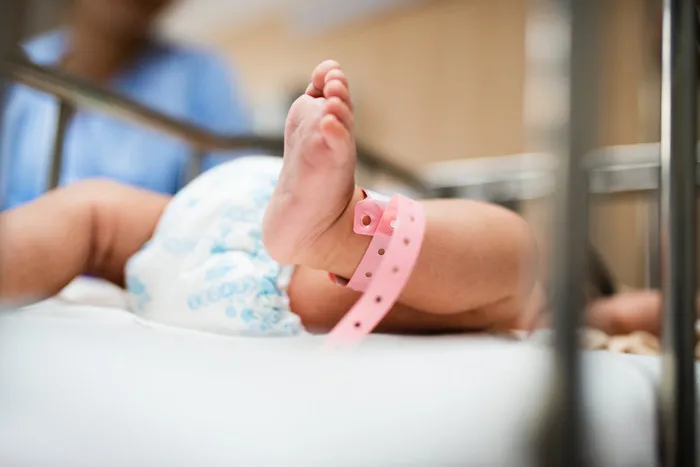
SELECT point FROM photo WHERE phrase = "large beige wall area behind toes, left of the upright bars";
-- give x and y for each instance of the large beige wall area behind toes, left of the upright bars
(439, 81)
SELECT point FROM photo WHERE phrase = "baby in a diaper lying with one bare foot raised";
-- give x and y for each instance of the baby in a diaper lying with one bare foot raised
(247, 248)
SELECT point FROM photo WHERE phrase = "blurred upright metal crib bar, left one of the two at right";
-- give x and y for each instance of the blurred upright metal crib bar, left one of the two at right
(562, 59)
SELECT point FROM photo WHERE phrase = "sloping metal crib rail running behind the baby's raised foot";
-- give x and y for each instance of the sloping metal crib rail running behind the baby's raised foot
(83, 94)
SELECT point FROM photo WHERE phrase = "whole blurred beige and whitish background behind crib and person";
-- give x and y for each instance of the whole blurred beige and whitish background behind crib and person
(433, 80)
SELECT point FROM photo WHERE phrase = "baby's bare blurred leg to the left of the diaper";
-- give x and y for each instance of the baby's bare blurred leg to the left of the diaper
(91, 227)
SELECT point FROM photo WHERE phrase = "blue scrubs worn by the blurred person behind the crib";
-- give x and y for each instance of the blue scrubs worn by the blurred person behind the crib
(184, 83)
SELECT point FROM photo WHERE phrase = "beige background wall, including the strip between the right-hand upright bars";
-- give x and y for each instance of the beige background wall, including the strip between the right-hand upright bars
(444, 80)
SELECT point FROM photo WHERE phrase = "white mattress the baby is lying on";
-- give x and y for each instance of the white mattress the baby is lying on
(83, 386)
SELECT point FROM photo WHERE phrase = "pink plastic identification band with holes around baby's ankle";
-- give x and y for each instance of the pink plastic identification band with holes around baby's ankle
(397, 228)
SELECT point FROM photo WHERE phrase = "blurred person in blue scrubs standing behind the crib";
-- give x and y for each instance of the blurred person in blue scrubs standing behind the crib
(111, 42)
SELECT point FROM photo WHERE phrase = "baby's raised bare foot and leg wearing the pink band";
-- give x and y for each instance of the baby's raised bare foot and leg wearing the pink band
(476, 258)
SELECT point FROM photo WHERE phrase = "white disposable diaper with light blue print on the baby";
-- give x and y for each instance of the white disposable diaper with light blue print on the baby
(205, 266)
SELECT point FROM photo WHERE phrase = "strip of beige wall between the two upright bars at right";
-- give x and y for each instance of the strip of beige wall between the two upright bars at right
(626, 117)
